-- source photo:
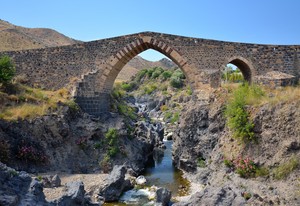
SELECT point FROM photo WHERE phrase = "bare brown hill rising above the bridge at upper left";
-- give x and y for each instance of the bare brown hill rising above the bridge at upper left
(14, 37)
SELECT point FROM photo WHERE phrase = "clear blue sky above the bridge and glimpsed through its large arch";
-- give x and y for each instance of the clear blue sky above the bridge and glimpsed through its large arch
(252, 21)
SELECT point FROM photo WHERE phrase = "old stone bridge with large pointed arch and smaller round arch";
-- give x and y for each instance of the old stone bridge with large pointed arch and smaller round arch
(92, 67)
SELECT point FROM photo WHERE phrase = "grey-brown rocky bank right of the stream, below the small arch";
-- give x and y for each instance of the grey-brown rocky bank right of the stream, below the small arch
(278, 140)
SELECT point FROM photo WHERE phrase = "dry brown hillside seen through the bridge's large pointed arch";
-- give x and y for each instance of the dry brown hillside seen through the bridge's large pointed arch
(138, 63)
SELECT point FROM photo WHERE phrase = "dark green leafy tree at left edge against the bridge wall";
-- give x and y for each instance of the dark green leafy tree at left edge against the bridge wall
(7, 69)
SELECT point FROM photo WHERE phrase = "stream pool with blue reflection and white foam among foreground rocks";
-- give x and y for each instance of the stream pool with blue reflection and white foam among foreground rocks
(160, 173)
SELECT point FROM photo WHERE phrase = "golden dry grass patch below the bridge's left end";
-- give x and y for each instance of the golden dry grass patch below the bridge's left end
(30, 102)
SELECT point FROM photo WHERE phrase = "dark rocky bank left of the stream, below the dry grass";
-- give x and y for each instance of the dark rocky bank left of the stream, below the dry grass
(68, 139)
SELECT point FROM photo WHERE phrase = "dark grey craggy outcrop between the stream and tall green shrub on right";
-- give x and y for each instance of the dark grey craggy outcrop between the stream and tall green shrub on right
(196, 137)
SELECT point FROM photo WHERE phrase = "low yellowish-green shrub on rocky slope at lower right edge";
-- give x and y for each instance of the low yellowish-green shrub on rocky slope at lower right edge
(283, 170)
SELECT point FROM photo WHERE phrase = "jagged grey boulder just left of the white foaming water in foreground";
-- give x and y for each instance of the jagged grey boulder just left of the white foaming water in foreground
(116, 184)
